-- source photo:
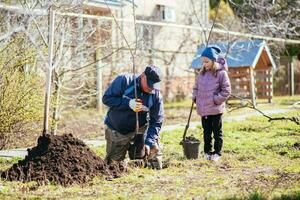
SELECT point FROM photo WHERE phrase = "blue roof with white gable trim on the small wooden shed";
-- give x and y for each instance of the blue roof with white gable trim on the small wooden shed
(238, 54)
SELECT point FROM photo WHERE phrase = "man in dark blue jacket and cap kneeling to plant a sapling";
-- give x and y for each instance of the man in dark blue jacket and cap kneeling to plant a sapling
(121, 116)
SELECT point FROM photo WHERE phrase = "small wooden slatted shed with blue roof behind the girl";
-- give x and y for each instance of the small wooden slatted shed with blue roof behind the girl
(250, 66)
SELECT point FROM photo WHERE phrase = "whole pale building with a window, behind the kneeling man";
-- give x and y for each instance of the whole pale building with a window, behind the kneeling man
(168, 47)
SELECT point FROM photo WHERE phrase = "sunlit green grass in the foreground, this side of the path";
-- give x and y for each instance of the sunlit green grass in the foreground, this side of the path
(261, 160)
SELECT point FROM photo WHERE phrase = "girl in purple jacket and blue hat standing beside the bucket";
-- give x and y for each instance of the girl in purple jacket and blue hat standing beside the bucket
(211, 90)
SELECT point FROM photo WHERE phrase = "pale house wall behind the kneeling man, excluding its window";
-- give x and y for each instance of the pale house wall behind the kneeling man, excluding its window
(171, 49)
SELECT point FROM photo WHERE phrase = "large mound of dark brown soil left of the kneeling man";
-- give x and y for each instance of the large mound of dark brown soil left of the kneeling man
(64, 160)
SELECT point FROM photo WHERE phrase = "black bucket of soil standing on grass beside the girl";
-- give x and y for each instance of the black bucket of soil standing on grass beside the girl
(191, 148)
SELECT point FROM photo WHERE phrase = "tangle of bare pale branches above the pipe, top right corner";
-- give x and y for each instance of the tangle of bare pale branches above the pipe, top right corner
(277, 18)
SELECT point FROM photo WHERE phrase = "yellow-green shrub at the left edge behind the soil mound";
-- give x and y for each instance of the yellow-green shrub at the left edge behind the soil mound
(20, 91)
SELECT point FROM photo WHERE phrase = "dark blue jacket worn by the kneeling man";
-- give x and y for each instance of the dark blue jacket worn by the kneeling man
(122, 118)
